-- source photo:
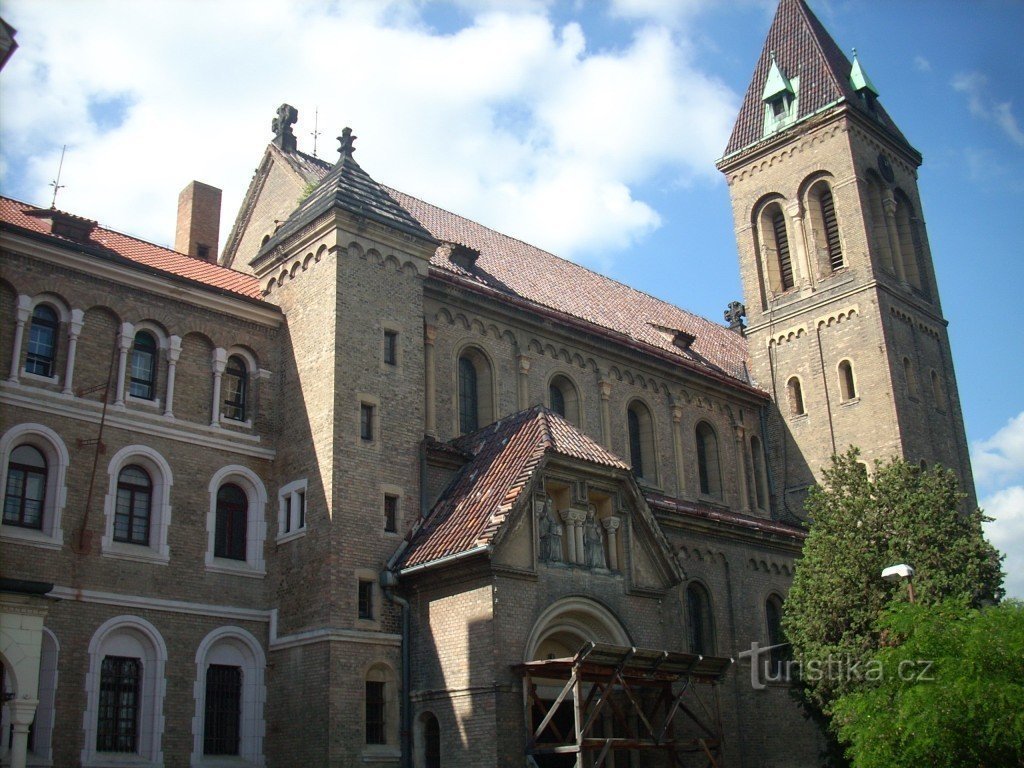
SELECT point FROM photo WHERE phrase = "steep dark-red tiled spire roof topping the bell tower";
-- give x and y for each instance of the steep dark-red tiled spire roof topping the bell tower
(803, 49)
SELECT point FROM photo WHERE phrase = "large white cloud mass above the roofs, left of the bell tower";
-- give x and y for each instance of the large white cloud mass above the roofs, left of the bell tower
(509, 120)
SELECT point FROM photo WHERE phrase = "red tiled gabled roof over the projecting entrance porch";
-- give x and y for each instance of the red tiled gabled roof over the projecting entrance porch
(504, 456)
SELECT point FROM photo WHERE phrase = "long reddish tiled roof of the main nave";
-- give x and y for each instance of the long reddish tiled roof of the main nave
(509, 267)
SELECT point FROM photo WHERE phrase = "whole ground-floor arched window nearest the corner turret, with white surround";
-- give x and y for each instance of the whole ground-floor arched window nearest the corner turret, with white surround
(230, 696)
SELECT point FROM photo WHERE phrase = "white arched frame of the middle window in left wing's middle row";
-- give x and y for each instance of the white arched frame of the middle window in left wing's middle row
(160, 513)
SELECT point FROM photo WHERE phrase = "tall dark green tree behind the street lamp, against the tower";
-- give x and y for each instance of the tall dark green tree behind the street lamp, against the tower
(860, 526)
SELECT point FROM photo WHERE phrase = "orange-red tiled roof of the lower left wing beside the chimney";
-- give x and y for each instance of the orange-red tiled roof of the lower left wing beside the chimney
(115, 244)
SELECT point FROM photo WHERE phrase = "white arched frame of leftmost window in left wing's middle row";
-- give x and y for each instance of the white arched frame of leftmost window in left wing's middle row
(58, 461)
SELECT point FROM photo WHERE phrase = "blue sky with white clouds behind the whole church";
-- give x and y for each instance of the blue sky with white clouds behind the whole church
(587, 129)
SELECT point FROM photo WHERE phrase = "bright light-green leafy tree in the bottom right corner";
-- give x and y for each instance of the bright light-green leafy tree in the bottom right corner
(951, 691)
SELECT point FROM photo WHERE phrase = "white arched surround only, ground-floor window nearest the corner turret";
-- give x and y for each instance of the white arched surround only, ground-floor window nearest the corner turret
(233, 647)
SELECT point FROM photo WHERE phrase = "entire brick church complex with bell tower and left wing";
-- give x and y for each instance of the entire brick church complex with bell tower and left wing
(376, 485)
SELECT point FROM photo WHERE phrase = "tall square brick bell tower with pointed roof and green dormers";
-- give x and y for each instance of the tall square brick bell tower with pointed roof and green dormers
(845, 326)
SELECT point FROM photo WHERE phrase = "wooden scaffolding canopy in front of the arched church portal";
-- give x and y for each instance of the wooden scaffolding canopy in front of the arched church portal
(618, 700)
